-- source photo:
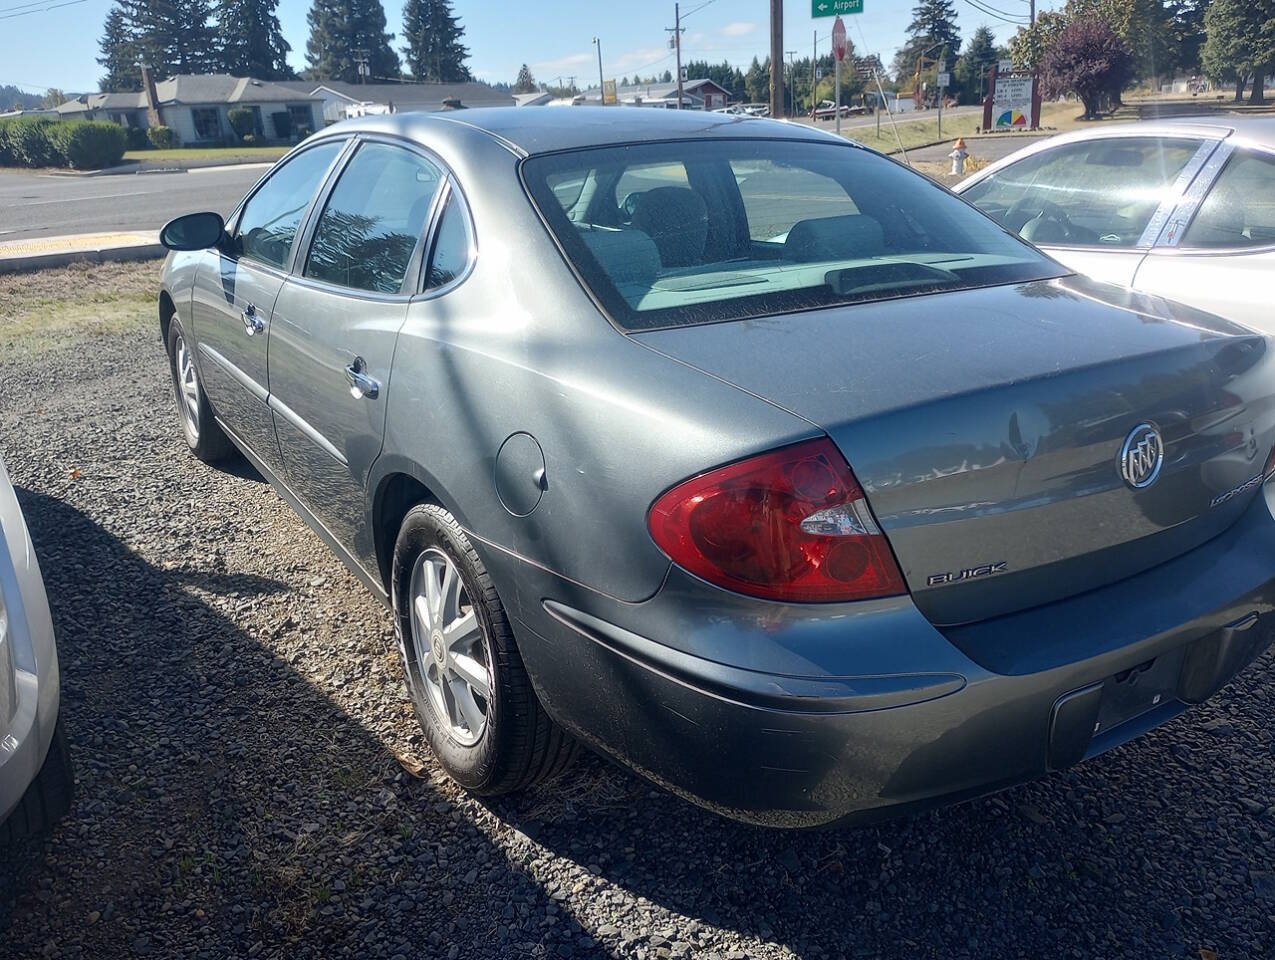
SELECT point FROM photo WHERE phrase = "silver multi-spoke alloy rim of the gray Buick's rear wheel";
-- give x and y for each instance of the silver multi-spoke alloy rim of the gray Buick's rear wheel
(451, 647)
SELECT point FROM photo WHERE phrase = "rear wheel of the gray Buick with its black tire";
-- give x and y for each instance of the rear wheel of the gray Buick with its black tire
(517, 744)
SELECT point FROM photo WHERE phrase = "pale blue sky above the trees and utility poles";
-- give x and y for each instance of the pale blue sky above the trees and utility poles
(55, 45)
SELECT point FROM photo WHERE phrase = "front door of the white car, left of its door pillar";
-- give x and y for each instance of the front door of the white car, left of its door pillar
(1096, 206)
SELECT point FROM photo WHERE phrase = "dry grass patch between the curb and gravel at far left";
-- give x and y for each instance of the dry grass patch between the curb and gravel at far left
(50, 309)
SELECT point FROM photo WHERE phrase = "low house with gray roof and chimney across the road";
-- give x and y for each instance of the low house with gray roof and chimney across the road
(197, 108)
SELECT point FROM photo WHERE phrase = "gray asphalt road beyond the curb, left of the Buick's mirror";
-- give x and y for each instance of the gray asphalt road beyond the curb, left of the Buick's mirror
(43, 206)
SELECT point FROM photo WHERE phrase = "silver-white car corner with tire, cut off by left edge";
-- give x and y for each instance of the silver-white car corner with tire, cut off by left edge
(36, 778)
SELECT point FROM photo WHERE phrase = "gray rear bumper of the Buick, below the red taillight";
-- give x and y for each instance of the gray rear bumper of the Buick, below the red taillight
(803, 716)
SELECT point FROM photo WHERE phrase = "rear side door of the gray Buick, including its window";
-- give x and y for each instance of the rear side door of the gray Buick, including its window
(336, 324)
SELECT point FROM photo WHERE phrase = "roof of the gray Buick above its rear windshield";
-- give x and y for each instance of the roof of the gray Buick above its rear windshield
(546, 129)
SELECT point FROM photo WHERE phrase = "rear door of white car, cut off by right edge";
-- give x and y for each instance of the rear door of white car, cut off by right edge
(1218, 251)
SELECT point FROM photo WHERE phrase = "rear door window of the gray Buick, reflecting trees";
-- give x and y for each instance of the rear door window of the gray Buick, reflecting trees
(374, 220)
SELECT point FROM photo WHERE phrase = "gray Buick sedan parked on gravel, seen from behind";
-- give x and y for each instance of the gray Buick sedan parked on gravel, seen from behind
(738, 452)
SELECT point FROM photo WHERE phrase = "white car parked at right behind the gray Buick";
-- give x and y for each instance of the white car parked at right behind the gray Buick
(1183, 208)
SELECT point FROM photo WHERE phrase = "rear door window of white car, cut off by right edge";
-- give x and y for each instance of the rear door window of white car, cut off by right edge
(1240, 211)
